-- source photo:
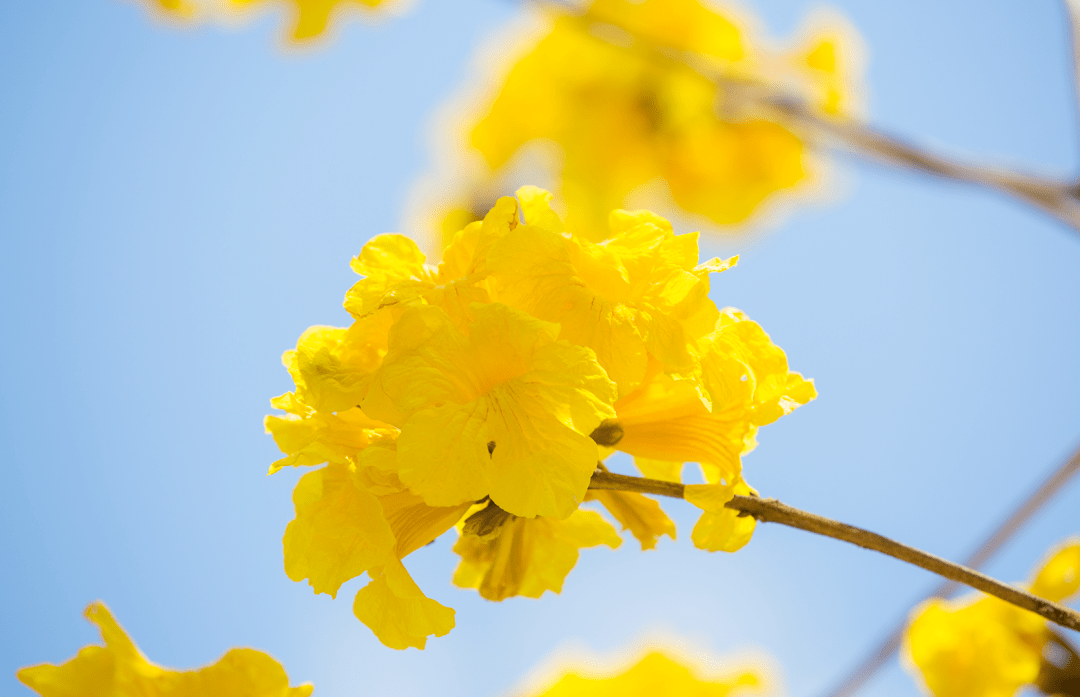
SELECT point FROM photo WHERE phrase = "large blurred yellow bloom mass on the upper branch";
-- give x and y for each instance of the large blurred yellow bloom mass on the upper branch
(626, 115)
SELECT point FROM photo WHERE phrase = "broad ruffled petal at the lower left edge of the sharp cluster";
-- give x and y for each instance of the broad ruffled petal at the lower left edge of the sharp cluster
(340, 531)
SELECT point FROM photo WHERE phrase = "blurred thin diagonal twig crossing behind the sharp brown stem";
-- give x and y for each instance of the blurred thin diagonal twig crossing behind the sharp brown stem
(882, 654)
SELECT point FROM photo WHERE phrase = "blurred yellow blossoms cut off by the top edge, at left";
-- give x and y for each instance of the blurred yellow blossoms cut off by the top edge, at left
(310, 19)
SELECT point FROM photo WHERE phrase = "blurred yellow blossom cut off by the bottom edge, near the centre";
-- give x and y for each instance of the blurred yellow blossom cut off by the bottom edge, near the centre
(655, 676)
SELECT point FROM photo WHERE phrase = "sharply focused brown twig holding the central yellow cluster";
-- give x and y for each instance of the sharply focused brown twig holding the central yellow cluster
(773, 512)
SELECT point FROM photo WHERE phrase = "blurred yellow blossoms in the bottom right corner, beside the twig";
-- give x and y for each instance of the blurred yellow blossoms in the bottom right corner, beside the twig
(981, 647)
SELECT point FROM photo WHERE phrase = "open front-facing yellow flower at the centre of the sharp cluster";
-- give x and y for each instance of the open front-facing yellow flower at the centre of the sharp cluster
(504, 411)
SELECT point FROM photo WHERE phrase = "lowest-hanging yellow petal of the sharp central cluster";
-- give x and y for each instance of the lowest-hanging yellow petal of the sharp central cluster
(398, 612)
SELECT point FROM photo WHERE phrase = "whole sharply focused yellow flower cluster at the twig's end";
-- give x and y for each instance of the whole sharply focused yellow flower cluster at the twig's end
(482, 394)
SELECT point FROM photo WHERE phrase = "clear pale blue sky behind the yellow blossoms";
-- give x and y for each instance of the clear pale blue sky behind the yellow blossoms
(178, 206)
